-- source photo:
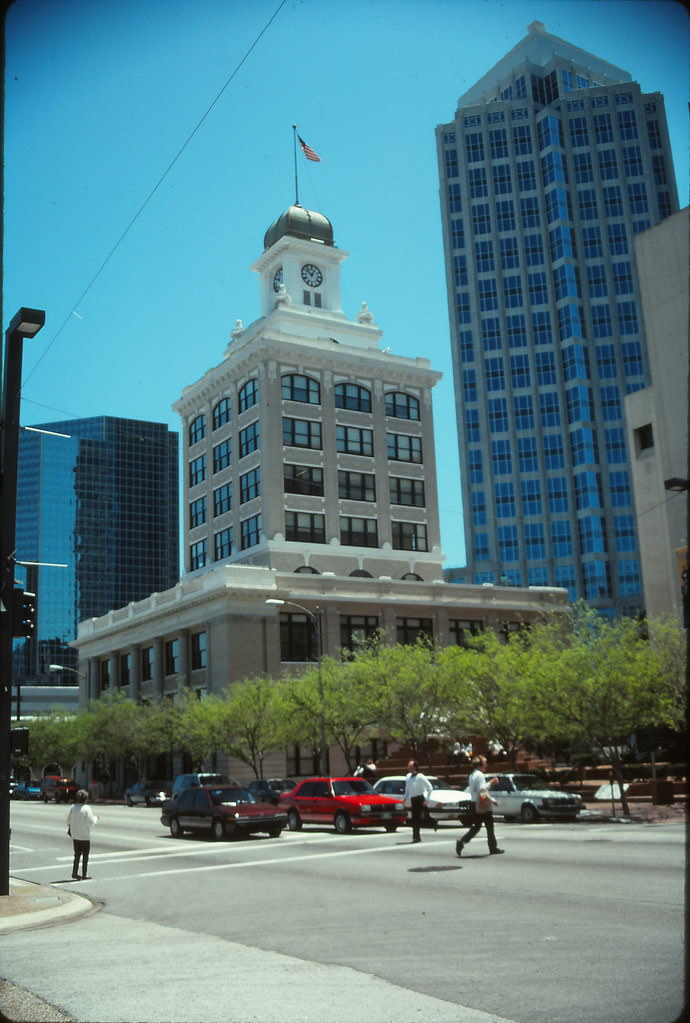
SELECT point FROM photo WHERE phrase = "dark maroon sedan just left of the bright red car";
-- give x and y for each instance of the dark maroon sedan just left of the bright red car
(224, 812)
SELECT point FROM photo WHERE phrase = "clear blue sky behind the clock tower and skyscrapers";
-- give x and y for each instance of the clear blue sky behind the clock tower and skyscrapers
(101, 98)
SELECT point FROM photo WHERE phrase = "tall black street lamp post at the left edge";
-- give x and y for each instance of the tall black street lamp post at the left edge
(26, 324)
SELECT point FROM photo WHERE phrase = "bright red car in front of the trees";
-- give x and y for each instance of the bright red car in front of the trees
(344, 803)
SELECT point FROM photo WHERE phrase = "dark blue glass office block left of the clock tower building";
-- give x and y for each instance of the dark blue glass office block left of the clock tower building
(100, 497)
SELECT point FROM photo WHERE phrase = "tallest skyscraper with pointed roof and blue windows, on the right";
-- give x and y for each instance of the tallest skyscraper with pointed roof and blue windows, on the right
(554, 162)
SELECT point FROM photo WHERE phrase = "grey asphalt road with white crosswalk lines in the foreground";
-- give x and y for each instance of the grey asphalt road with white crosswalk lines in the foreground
(577, 922)
